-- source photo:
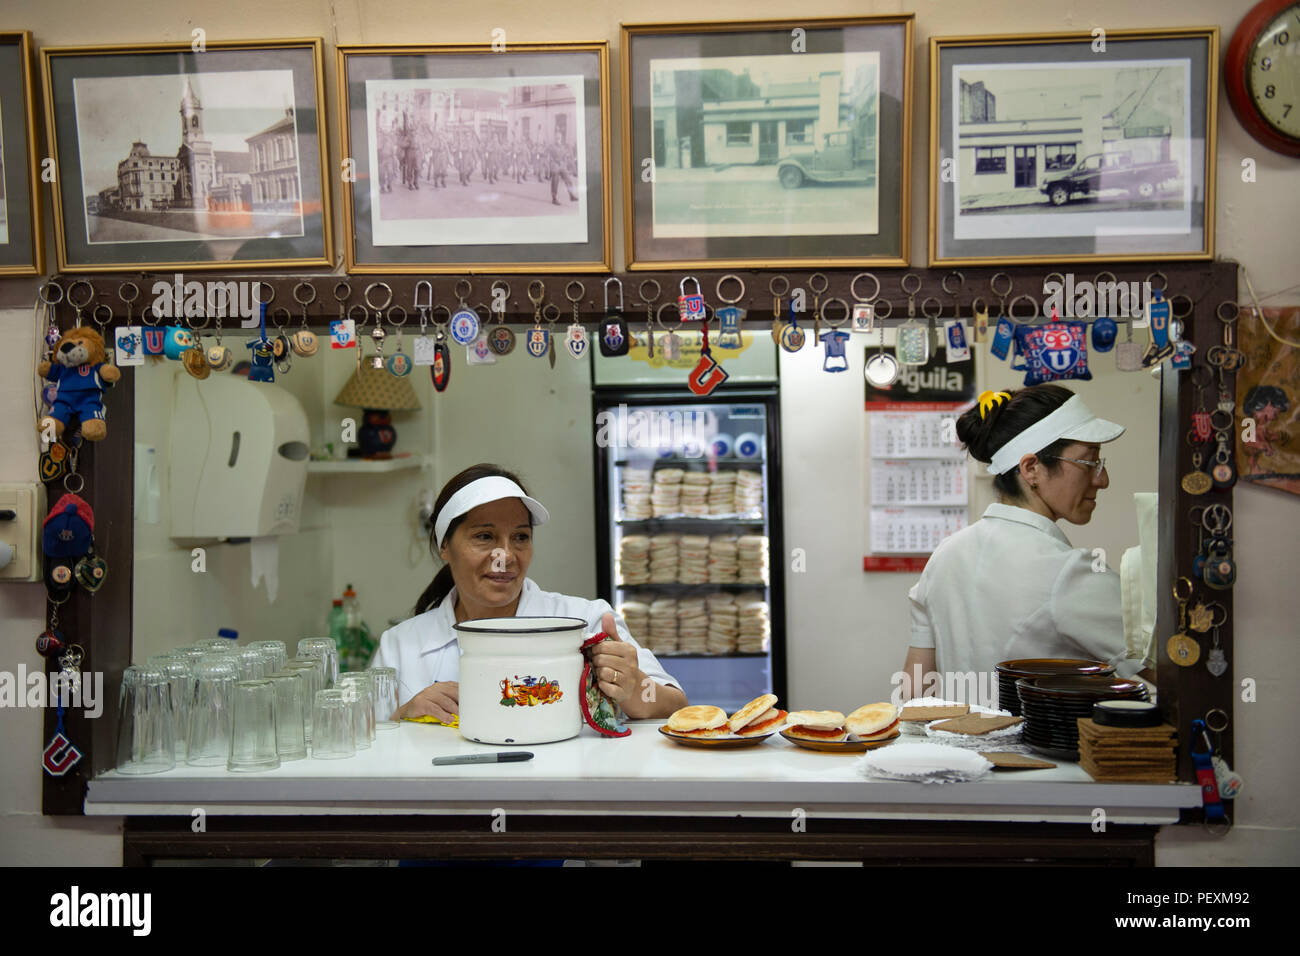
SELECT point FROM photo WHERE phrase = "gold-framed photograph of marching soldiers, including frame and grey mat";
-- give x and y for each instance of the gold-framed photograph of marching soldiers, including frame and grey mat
(460, 158)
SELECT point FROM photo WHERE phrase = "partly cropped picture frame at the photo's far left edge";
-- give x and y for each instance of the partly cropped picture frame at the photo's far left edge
(23, 250)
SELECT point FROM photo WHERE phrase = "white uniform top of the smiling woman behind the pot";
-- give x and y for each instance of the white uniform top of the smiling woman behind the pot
(424, 648)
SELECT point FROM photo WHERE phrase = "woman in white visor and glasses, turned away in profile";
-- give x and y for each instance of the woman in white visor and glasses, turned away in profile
(1011, 586)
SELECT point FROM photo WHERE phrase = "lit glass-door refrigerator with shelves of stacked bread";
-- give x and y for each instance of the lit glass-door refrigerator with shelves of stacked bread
(688, 520)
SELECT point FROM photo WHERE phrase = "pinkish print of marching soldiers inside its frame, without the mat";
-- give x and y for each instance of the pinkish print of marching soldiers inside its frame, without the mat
(460, 154)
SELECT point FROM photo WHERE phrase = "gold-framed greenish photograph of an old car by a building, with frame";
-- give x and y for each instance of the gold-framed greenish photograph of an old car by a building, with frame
(775, 144)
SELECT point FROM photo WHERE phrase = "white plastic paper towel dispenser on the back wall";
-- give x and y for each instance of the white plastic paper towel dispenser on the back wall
(237, 460)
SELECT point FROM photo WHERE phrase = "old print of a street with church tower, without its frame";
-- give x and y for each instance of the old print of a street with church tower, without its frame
(190, 157)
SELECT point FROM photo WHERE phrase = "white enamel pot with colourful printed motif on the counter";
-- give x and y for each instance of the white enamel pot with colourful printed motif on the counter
(521, 680)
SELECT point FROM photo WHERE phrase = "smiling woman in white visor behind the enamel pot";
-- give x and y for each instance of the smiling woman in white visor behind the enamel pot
(483, 529)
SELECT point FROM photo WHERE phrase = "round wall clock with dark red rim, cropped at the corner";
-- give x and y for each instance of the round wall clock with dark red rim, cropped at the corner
(1262, 72)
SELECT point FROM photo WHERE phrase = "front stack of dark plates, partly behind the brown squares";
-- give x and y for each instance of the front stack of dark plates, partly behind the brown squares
(1052, 707)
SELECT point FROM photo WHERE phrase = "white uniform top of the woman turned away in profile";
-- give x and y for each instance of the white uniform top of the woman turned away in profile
(1012, 587)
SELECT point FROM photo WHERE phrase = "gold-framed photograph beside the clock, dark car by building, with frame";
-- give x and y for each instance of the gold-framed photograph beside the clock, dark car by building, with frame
(1068, 148)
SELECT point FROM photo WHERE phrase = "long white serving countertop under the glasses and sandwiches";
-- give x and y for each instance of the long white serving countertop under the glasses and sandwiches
(644, 775)
